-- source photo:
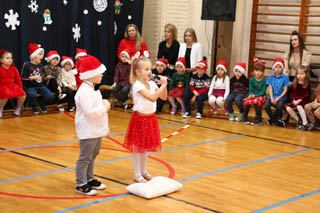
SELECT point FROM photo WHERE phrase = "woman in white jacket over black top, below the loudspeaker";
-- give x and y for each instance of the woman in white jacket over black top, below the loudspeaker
(190, 49)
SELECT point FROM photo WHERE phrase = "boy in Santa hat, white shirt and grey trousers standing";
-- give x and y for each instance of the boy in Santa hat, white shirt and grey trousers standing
(91, 123)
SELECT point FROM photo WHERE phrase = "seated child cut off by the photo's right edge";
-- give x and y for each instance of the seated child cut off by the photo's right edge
(313, 110)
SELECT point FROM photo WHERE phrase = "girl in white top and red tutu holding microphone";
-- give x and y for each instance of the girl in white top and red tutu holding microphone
(143, 133)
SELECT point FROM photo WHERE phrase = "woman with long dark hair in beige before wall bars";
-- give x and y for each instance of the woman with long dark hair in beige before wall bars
(296, 56)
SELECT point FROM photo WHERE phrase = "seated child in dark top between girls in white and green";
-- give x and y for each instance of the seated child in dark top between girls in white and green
(239, 86)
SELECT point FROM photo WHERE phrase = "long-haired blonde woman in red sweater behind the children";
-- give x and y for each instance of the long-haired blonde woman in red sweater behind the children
(133, 42)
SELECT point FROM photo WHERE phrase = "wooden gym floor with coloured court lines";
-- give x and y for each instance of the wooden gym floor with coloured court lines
(224, 166)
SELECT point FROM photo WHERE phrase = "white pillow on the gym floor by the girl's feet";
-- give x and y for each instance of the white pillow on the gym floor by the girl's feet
(156, 187)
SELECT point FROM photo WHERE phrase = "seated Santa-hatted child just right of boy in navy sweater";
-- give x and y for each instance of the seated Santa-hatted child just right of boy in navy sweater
(50, 75)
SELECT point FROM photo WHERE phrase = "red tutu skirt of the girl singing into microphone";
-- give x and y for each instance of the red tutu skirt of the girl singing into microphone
(143, 134)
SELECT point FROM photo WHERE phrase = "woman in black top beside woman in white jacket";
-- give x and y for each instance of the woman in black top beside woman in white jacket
(169, 48)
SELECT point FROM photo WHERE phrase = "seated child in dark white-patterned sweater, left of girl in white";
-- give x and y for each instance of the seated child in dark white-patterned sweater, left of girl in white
(198, 90)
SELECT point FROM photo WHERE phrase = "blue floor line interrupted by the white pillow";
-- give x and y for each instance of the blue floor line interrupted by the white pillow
(205, 174)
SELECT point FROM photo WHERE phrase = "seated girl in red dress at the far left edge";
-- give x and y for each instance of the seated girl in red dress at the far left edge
(10, 82)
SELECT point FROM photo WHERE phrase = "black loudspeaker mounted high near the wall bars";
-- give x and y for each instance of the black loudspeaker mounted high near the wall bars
(219, 10)
